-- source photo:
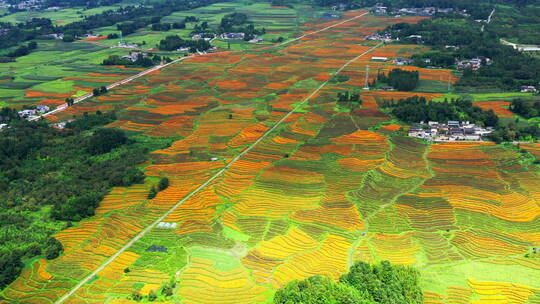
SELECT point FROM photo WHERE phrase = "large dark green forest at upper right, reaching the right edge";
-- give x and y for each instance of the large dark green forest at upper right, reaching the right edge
(459, 38)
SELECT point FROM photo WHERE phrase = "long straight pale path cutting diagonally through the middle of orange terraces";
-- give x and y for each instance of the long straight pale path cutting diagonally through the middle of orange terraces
(207, 182)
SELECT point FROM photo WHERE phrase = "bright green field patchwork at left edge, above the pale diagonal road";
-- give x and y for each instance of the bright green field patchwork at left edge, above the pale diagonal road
(57, 70)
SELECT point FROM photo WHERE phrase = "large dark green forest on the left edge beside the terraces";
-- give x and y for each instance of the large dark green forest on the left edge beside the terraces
(51, 177)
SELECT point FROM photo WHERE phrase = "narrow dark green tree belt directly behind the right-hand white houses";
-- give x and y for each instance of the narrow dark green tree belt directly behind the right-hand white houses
(416, 109)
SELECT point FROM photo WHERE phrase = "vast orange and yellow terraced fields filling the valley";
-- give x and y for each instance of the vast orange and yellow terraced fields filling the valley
(319, 191)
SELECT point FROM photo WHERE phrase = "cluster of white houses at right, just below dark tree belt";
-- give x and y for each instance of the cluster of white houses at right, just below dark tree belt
(451, 131)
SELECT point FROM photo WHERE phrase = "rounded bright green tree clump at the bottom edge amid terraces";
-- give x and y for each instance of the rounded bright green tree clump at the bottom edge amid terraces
(363, 284)
